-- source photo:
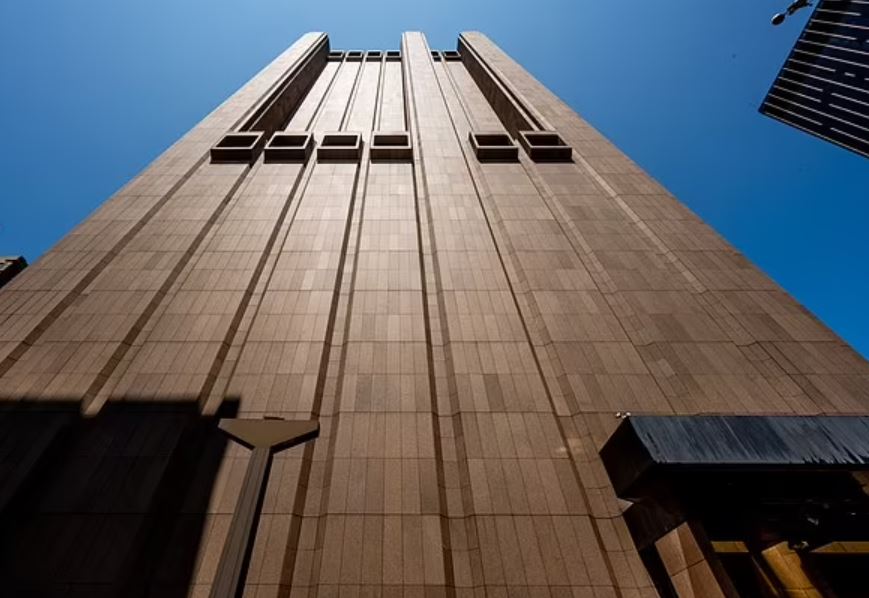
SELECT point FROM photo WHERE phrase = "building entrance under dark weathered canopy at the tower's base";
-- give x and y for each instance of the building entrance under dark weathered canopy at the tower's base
(746, 506)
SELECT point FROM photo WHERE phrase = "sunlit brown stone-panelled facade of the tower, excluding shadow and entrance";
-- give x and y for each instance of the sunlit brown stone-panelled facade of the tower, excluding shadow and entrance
(464, 332)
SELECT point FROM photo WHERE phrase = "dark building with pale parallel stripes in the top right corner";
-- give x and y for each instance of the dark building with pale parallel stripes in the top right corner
(823, 87)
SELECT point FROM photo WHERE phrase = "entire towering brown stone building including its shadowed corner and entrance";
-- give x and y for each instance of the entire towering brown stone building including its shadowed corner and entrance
(464, 283)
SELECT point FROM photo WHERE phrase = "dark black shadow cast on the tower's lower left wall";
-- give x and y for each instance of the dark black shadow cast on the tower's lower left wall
(112, 505)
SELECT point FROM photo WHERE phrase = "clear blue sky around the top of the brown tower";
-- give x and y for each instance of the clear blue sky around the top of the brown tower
(92, 90)
